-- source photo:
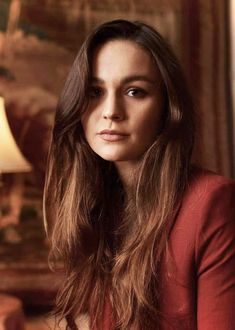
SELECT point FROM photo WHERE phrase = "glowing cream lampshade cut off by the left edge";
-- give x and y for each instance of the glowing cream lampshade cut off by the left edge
(11, 159)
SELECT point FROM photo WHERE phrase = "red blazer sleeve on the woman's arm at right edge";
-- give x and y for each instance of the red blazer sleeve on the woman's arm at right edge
(215, 261)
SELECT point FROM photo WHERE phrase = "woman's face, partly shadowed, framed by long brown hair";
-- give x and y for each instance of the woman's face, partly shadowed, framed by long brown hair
(126, 102)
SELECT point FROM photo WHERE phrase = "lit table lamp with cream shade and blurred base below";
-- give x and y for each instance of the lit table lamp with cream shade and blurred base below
(11, 161)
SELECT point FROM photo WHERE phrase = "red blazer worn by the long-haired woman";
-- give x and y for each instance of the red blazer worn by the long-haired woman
(197, 287)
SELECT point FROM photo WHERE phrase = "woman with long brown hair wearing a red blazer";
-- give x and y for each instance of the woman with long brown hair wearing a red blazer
(146, 240)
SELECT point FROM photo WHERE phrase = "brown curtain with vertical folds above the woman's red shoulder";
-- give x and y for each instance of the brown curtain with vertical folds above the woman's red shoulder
(205, 56)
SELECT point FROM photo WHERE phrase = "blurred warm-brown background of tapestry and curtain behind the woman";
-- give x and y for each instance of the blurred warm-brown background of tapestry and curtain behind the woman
(38, 42)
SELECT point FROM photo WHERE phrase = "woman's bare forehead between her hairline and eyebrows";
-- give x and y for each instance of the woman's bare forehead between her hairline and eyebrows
(118, 58)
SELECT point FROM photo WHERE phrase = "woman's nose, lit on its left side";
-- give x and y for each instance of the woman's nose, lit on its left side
(113, 108)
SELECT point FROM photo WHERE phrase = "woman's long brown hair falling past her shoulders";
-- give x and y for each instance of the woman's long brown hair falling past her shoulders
(111, 248)
